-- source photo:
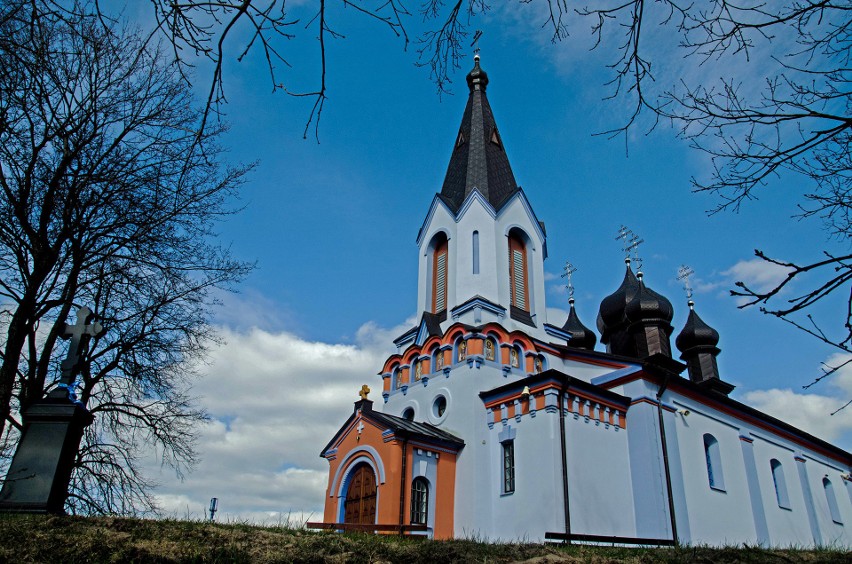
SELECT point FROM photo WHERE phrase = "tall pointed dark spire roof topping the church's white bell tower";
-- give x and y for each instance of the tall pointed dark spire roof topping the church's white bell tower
(479, 160)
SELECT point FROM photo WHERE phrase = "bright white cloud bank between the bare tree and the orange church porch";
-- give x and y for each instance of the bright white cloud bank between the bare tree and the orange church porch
(275, 400)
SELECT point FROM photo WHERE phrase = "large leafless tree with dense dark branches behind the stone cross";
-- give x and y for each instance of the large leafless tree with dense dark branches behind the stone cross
(111, 190)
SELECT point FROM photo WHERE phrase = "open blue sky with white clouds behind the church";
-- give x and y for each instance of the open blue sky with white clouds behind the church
(332, 226)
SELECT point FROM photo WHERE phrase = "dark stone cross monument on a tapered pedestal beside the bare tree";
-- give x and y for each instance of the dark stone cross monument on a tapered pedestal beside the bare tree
(40, 472)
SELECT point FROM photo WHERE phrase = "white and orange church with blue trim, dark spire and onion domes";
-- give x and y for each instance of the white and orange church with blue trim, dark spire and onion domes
(494, 423)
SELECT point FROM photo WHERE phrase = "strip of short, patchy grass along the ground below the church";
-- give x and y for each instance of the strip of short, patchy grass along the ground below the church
(28, 538)
